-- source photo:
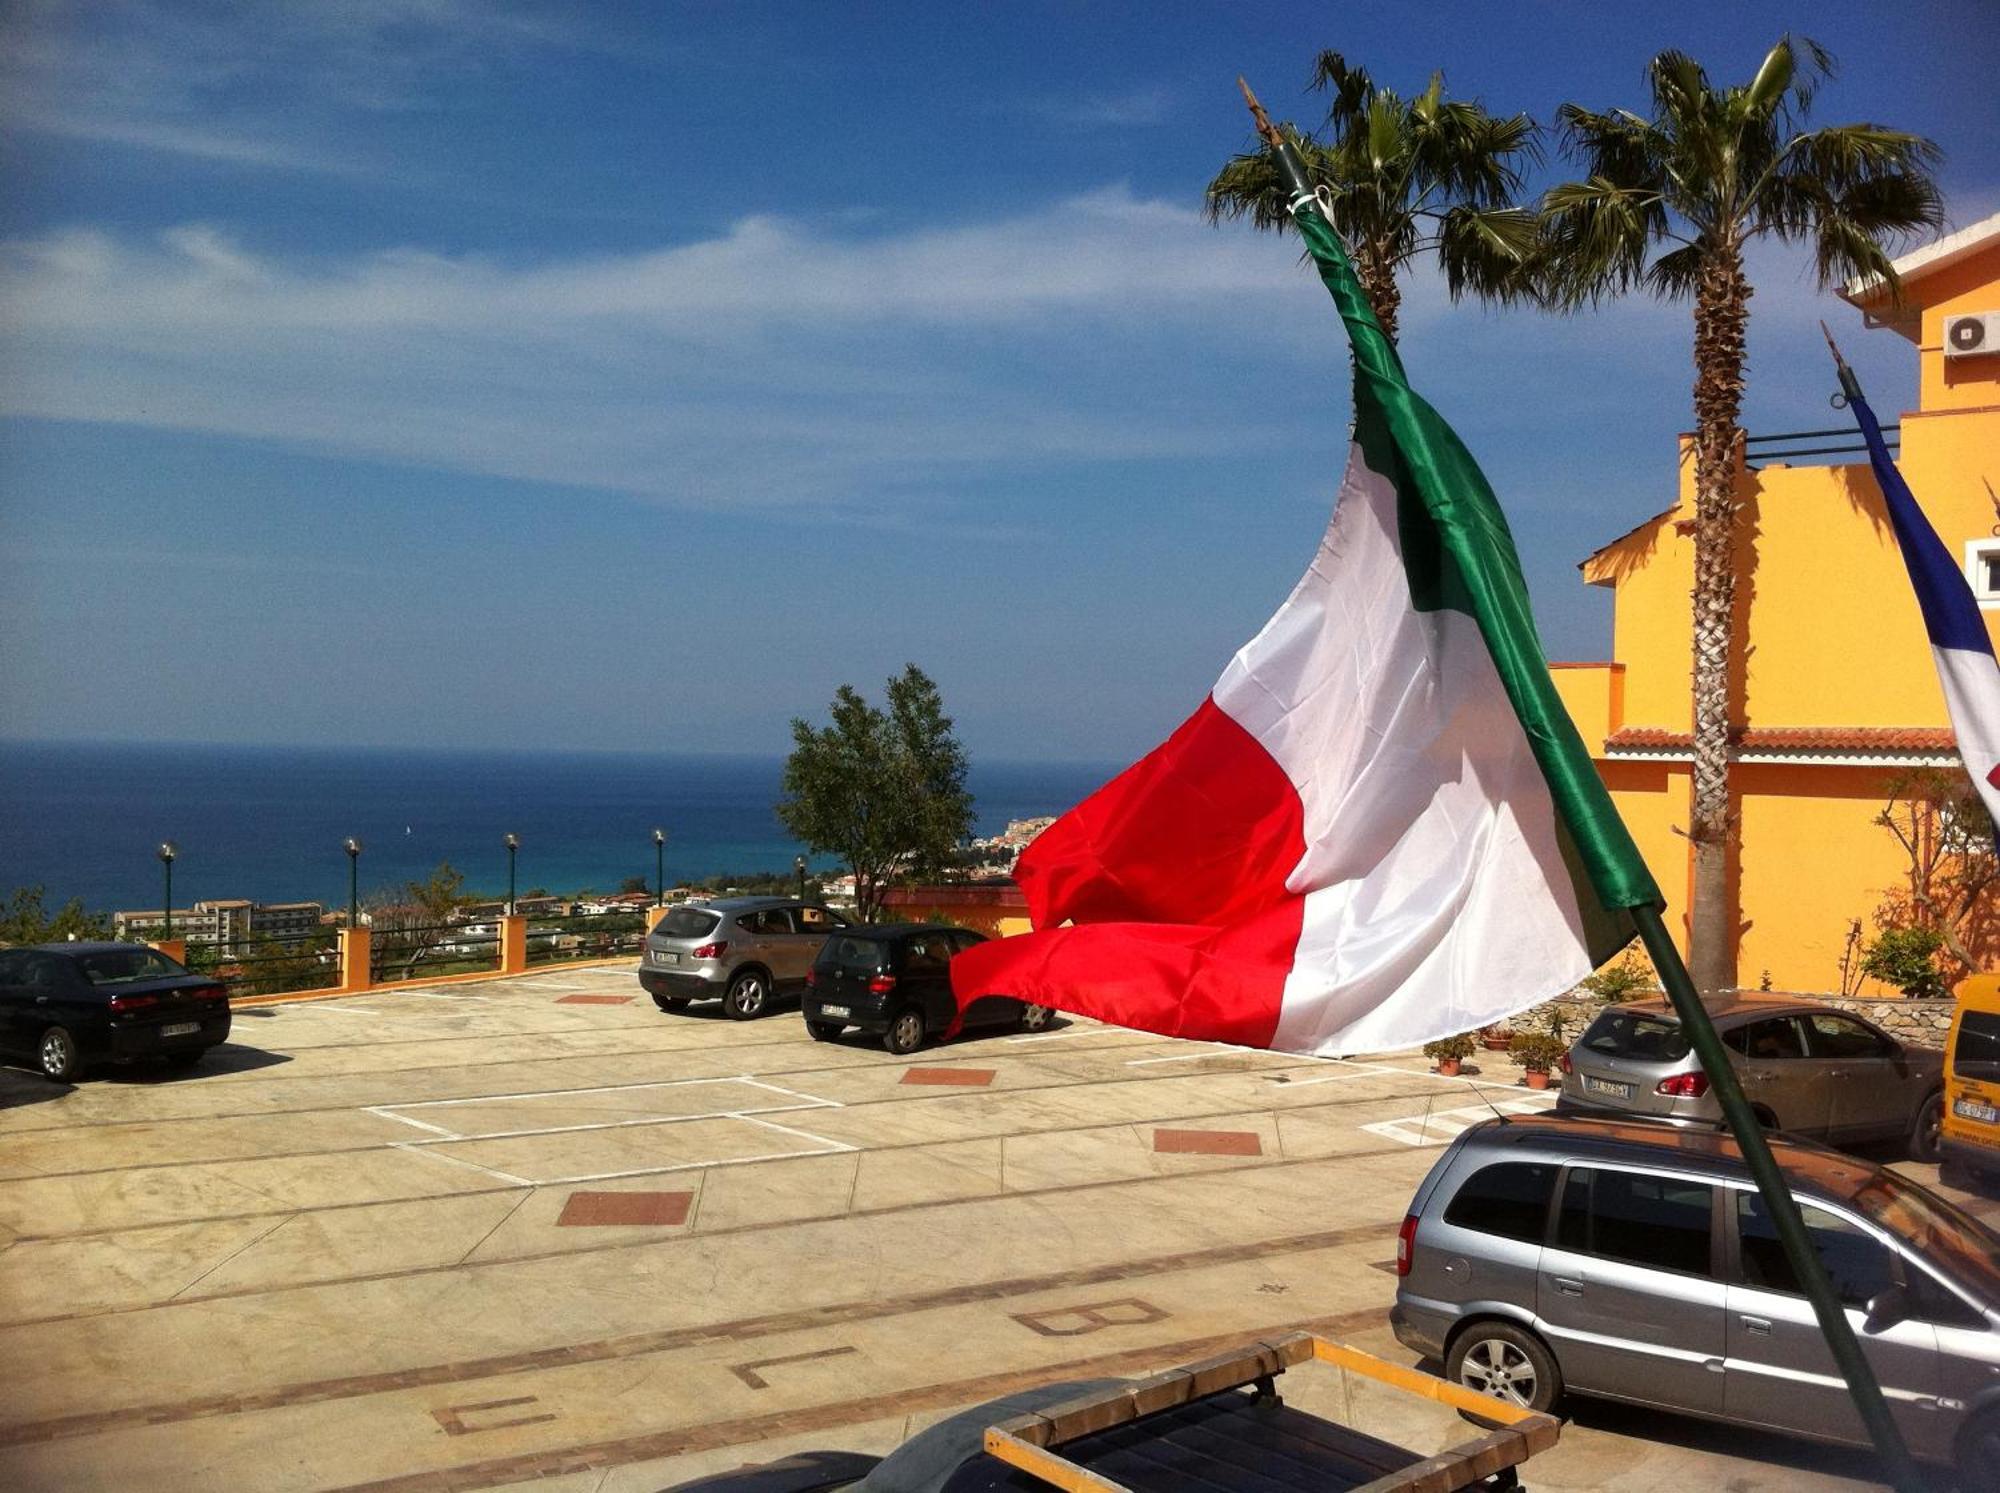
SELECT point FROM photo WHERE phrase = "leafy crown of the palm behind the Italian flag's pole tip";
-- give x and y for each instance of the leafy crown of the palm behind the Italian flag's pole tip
(1405, 177)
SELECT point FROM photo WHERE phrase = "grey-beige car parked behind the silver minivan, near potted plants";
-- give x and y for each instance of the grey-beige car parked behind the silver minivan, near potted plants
(1807, 1068)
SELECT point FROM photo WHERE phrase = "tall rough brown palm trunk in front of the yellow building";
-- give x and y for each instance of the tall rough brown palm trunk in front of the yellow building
(1721, 315)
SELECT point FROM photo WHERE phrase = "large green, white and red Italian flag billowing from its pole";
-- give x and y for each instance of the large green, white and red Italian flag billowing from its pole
(1381, 826)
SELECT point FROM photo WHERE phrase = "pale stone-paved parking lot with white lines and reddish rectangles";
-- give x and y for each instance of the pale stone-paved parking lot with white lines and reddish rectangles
(533, 1232)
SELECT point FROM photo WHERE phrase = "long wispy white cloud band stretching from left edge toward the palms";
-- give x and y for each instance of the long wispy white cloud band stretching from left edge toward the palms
(771, 365)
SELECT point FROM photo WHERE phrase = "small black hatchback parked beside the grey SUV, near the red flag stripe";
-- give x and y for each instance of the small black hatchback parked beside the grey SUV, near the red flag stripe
(895, 980)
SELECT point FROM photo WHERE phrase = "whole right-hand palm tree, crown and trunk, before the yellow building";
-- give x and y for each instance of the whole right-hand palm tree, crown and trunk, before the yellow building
(1669, 205)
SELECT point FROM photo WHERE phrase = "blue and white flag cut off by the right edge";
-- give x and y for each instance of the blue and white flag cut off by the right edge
(1959, 641)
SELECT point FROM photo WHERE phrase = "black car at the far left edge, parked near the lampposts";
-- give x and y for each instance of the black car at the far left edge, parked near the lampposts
(67, 1006)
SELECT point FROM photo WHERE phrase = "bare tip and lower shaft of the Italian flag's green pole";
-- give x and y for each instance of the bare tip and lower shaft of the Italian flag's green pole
(1687, 1002)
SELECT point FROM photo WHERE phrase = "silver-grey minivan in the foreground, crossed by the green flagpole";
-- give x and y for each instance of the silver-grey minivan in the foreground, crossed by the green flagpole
(1637, 1262)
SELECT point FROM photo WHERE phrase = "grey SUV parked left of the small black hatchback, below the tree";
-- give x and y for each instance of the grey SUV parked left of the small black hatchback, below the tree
(739, 950)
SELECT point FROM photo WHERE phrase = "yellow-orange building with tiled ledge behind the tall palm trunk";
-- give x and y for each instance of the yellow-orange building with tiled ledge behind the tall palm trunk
(1833, 687)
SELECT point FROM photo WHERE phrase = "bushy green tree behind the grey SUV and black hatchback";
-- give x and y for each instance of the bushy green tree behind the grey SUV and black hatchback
(881, 790)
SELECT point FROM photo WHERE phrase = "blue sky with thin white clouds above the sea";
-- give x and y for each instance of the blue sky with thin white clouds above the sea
(471, 373)
